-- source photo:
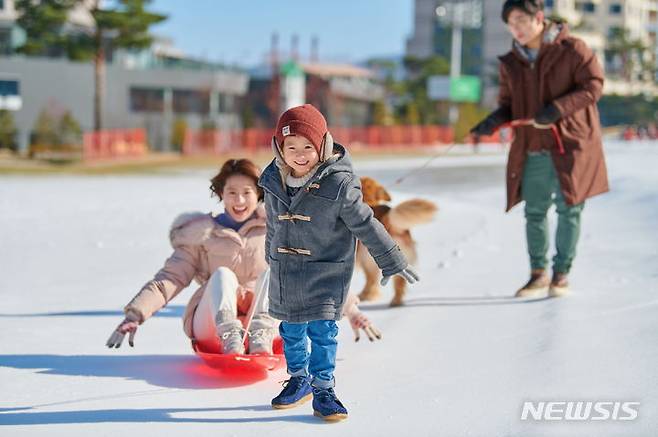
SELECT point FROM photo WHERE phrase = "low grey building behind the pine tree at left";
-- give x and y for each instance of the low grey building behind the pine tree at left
(151, 89)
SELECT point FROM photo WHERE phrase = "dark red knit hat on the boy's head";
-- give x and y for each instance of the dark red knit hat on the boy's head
(303, 120)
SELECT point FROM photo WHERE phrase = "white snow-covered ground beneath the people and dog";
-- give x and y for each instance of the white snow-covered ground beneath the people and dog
(459, 359)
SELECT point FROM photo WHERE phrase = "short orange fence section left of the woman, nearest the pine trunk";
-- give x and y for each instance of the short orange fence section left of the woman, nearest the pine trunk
(116, 143)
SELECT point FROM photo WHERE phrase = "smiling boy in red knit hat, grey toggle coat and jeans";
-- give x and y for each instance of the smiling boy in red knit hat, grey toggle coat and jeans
(314, 215)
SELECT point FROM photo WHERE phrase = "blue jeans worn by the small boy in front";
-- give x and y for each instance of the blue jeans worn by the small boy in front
(321, 362)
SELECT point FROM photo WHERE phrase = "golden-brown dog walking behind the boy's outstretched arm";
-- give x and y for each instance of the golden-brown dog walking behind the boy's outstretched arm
(398, 221)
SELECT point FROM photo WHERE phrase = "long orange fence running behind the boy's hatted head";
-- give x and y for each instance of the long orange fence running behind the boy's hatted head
(216, 141)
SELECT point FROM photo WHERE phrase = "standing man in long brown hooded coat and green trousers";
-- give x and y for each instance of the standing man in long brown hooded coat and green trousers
(551, 78)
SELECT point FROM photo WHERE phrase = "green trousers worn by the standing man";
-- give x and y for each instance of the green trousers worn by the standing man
(540, 189)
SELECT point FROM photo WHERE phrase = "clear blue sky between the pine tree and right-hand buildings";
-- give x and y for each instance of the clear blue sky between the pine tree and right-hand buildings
(238, 32)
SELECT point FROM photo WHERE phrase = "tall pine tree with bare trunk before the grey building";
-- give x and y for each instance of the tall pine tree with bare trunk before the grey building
(118, 24)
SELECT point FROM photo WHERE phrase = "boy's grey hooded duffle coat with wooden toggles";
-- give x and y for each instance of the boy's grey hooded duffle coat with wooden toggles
(311, 240)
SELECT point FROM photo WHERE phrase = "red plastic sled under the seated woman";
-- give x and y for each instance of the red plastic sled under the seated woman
(244, 362)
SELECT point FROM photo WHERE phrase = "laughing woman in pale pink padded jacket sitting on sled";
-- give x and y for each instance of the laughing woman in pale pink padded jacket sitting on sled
(225, 254)
